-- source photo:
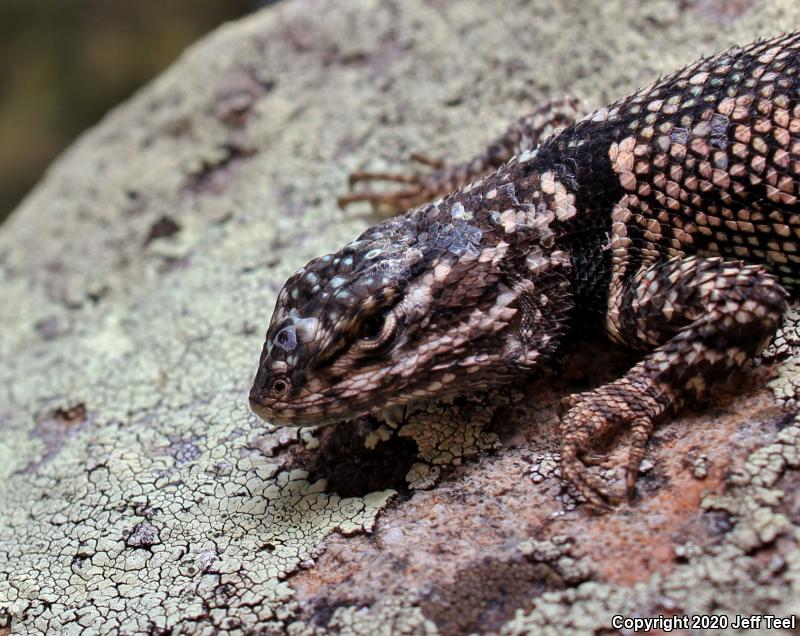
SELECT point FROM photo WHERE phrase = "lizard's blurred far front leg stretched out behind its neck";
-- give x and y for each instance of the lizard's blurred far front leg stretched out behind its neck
(526, 132)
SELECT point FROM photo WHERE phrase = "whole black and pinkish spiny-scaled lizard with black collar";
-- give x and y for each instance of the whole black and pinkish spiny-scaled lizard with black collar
(667, 222)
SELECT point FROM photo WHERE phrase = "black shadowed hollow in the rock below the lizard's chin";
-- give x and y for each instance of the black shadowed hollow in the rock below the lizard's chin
(351, 469)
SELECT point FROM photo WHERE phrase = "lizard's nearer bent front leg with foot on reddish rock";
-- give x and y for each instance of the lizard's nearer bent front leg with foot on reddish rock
(705, 317)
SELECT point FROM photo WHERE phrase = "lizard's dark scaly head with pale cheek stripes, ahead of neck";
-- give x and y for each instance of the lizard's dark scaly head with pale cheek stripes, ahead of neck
(413, 309)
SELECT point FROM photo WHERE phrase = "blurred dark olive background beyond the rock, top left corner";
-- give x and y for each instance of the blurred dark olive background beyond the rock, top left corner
(67, 62)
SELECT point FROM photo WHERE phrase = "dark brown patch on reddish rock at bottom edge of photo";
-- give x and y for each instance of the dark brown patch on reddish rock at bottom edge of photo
(487, 594)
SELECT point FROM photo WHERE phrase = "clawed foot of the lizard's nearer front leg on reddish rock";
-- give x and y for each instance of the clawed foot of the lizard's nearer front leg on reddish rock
(592, 417)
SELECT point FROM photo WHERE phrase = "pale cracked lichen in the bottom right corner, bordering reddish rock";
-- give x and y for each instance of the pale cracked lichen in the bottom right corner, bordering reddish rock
(728, 578)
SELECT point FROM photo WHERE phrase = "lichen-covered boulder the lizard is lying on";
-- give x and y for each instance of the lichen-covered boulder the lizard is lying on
(140, 495)
